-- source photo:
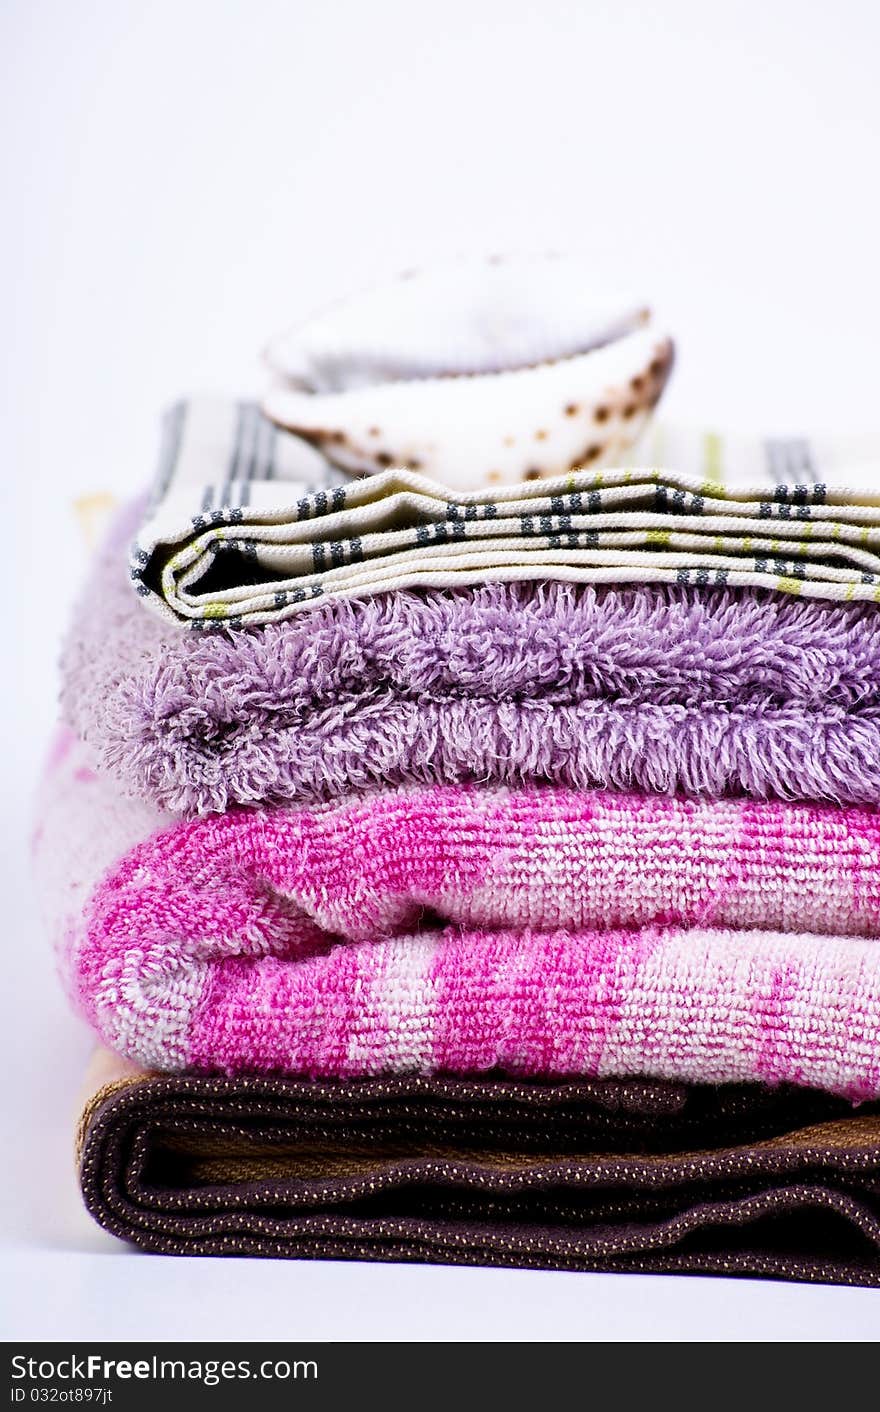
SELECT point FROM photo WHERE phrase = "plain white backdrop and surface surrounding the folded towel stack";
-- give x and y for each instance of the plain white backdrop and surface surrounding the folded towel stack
(183, 177)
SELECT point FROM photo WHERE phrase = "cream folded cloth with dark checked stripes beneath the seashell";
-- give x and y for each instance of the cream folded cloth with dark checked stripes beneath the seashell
(251, 526)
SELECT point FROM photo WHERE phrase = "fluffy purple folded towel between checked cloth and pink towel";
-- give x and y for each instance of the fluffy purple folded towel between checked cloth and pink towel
(706, 693)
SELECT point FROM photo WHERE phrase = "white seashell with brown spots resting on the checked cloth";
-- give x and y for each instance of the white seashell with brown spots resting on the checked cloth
(474, 375)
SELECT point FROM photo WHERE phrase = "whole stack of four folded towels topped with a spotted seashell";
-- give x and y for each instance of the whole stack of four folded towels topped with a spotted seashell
(470, 875)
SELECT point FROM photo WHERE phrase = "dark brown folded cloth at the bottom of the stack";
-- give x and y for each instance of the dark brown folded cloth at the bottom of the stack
(607, 1175)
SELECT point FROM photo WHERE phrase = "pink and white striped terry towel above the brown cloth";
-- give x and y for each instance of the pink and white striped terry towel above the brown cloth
(539, 933)
